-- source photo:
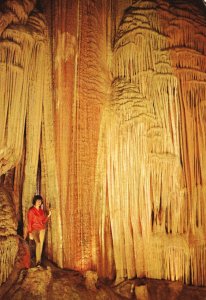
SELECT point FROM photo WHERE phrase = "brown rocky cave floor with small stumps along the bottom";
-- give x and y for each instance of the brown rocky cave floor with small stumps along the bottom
(50, 282)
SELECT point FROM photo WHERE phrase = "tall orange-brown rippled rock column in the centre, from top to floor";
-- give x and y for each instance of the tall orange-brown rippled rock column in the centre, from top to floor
(81, 87)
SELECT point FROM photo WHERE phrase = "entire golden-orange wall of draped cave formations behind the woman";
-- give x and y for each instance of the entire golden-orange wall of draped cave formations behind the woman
(112, 116)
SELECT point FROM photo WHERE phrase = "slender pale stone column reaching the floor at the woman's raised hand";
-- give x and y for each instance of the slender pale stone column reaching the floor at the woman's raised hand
(49, 184)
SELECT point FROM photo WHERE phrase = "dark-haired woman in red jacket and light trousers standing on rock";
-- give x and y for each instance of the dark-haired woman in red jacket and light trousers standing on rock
(36, 225)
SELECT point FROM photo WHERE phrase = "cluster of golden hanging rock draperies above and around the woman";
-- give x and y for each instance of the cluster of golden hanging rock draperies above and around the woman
(27, 130)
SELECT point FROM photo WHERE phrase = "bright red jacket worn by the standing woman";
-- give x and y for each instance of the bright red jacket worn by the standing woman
(36, 219)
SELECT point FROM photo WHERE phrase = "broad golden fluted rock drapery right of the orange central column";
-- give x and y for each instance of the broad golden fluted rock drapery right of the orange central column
(151, 163)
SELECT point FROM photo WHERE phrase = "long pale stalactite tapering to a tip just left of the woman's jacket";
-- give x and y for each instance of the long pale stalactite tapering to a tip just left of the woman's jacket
(33, 122)
